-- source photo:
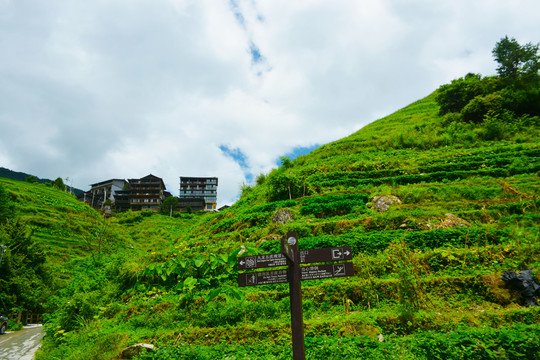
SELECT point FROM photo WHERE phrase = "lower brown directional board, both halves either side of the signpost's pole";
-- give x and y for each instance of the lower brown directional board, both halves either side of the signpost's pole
(311, 272)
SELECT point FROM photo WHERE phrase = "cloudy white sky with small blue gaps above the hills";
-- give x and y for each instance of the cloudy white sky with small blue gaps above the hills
(103, 89)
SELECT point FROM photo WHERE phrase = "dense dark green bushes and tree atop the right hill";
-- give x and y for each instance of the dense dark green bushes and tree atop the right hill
(512, 97)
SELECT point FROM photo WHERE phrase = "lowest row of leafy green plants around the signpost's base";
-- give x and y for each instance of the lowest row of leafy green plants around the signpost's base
(516, 342)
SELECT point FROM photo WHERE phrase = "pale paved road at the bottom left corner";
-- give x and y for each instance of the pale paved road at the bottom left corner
(22, 344)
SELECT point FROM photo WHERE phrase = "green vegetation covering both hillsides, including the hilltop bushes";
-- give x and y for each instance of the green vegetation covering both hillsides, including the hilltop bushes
(427, 269)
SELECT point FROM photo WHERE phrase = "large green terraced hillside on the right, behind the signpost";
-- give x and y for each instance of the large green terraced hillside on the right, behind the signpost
(427, 270)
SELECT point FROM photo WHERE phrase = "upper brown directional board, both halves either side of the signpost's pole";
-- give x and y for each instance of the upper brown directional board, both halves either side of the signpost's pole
(306, 256)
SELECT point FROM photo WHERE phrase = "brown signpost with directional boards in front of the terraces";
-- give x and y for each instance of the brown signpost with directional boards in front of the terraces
(291, 257)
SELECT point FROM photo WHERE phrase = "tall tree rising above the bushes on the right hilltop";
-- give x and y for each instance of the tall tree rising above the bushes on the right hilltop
(516, 60)
